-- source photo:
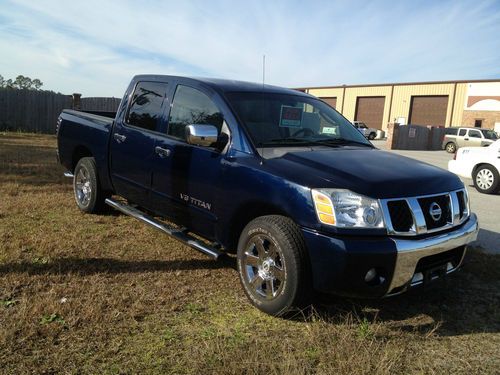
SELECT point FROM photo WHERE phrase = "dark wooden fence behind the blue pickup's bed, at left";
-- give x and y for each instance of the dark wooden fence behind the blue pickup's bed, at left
(37, 111)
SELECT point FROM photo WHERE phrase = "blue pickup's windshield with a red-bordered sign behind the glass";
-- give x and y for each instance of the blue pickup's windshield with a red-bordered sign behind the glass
(280, 120)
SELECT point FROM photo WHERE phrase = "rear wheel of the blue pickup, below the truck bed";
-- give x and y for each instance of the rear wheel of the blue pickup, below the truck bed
(89, 196)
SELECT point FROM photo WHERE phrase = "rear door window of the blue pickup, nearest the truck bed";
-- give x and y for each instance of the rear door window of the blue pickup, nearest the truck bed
(146, 107)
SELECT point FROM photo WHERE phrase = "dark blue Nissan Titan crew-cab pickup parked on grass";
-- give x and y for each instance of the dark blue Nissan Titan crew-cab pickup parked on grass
(277, 177)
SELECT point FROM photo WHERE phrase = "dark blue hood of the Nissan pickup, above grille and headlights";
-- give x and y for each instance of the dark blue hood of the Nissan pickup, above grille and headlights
(370, 172)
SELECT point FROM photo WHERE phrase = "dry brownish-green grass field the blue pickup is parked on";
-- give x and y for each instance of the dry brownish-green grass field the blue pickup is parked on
(85, 294)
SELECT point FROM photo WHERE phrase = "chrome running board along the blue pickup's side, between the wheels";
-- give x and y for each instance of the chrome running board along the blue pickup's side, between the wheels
(178, 234)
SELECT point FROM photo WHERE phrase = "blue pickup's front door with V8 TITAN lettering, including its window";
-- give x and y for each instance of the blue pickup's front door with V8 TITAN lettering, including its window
(185, 177)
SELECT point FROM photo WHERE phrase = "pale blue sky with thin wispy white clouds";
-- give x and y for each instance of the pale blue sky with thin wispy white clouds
(95, 47)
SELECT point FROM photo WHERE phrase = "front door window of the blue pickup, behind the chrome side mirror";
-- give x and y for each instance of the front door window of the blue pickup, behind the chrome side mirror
(191, 106)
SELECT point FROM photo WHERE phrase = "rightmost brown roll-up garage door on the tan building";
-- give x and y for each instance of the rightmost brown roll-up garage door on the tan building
(428, 110)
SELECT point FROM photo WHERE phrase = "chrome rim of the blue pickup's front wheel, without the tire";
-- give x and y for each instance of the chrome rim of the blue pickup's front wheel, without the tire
(264, 267)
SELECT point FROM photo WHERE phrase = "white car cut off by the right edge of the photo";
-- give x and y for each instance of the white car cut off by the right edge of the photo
(482, 164)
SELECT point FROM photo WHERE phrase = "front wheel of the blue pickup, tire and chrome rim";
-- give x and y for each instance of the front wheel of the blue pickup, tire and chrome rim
(273, 265)
